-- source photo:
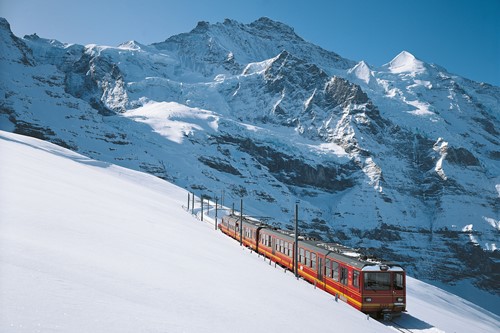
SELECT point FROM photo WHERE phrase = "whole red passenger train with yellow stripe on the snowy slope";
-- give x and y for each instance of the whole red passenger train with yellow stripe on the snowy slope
(373, 287)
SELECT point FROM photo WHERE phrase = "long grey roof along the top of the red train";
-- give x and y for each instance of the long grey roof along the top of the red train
(350, 256)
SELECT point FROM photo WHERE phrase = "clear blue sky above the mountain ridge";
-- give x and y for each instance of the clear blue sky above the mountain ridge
(461, 35)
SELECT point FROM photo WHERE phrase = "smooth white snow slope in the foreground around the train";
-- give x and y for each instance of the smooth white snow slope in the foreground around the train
(87, 246)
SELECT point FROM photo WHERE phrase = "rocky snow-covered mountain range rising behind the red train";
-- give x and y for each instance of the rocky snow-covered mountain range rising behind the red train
(401, 159)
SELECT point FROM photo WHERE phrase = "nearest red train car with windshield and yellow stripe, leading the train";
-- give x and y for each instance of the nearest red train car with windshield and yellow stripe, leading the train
(371, 286)
